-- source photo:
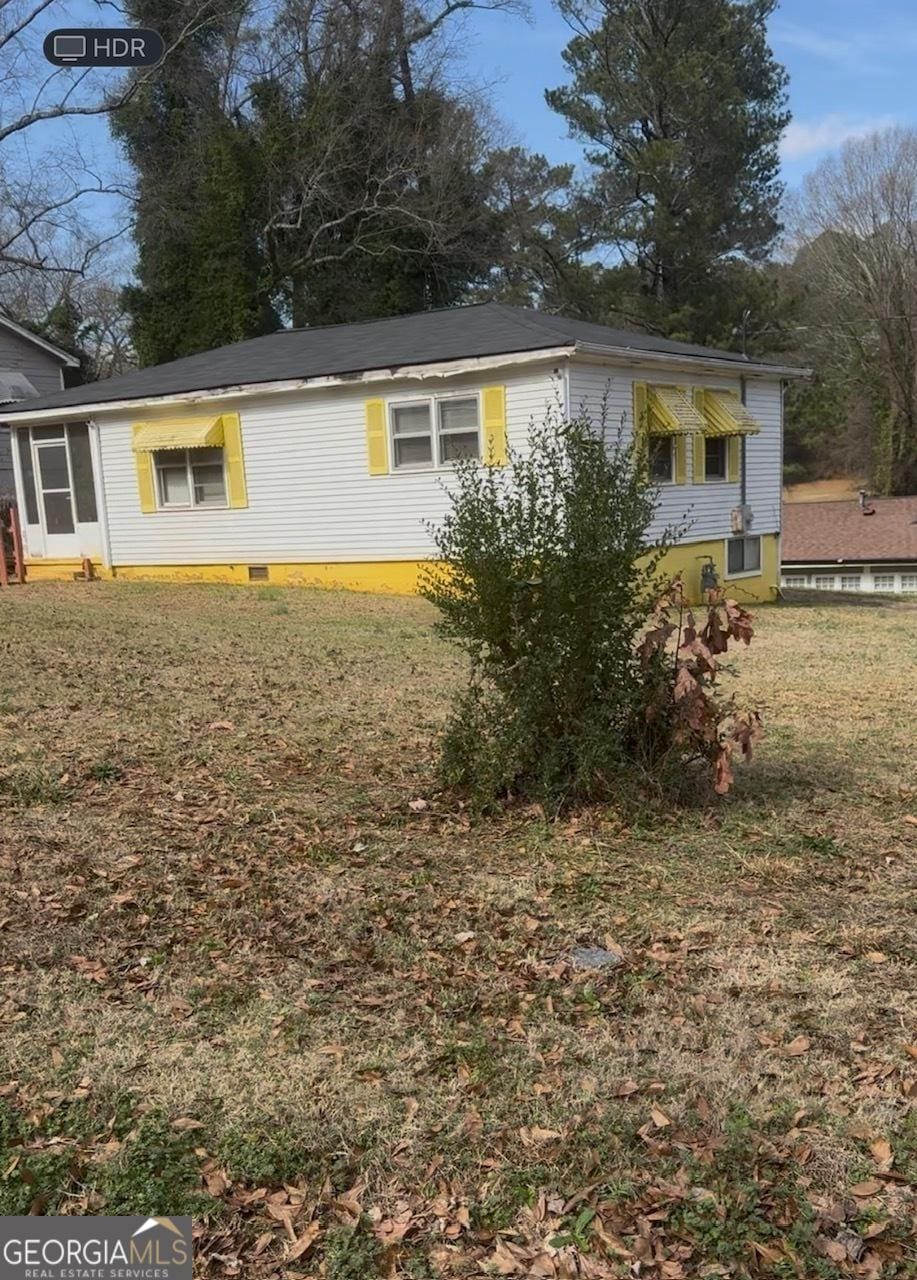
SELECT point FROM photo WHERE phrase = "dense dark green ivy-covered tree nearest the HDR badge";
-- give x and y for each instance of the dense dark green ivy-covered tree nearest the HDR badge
(202, 278)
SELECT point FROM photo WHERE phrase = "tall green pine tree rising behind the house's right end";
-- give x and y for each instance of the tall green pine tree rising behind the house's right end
(682, 107)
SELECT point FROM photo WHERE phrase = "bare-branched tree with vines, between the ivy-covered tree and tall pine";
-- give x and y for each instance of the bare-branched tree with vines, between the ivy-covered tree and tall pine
(371, 153)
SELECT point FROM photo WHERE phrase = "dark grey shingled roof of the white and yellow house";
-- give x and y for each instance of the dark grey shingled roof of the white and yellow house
(428, 337)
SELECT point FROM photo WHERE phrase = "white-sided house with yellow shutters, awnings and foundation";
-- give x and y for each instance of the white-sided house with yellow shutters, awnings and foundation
(316, 455)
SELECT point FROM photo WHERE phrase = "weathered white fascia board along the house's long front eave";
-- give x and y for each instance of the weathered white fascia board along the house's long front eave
(417, 373)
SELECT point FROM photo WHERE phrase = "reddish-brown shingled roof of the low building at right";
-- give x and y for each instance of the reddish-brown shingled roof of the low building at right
(836, 532)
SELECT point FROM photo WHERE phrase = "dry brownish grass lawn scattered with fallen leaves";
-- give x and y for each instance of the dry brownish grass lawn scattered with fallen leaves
(253, 966)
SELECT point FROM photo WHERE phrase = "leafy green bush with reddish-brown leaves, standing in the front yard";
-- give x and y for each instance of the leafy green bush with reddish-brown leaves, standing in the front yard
(548, 583)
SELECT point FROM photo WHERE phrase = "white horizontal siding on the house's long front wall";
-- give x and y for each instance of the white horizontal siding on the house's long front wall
(312, 497)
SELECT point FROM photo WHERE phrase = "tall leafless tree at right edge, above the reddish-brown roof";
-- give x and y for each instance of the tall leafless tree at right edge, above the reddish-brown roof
(857, 230)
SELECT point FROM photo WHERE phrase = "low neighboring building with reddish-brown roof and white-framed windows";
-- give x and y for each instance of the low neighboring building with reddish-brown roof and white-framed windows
(865, 546)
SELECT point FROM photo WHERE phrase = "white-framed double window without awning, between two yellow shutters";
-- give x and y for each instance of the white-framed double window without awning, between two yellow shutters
(436, 432)
